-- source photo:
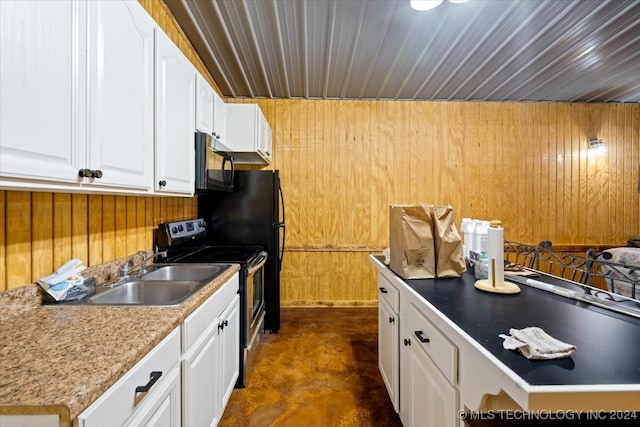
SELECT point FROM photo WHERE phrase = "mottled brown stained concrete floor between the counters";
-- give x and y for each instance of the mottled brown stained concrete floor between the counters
(321, 370)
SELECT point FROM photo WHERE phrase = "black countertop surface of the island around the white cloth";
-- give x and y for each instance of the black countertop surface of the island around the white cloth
(608, 343)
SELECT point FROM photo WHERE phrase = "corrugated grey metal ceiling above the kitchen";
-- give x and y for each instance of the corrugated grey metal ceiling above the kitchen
(576, 51)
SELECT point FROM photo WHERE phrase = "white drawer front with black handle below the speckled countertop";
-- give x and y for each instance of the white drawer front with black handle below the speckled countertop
(120, 401)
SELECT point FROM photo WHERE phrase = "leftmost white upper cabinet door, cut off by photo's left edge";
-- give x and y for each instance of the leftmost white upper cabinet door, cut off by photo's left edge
(41, 46)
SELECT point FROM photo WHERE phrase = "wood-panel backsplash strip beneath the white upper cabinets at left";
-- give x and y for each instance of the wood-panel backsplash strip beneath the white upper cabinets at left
(44, 230)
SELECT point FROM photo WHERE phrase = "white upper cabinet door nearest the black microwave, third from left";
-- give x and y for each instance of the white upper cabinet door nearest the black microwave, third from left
(175, 117)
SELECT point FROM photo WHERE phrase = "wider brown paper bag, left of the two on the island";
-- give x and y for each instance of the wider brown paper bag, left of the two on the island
(411, 245)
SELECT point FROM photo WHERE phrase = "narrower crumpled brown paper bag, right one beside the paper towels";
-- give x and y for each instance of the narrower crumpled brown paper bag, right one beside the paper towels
(448, 243)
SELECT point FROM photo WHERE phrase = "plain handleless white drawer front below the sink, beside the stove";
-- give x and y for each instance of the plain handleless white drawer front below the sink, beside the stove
(203, 316)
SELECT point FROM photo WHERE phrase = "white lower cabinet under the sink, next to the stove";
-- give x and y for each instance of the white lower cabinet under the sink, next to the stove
(210, 359)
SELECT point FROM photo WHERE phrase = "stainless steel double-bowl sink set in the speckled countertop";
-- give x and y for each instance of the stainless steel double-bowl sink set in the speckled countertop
(159, 285)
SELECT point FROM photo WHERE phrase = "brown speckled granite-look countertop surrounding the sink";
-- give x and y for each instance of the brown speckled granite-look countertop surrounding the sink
(58, 360)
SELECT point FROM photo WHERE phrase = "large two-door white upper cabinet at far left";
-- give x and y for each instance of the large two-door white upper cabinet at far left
(76, 91)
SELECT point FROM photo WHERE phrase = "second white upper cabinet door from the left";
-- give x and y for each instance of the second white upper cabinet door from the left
(120, 110)
